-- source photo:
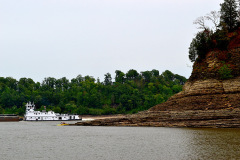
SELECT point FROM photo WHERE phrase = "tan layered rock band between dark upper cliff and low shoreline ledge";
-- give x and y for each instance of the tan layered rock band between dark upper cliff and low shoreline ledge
(204, 95)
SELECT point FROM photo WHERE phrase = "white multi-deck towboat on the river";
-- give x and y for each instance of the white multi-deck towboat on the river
(32, 115)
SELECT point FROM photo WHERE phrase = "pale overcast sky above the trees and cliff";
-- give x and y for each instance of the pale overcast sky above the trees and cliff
(67, 38)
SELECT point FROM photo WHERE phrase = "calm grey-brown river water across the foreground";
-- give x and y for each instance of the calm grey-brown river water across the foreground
(45, 140)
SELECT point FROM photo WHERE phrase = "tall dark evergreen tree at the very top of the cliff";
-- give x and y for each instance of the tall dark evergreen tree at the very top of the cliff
(229, 14)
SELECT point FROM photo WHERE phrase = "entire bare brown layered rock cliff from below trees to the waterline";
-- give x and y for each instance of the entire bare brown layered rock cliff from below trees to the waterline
(206, 99)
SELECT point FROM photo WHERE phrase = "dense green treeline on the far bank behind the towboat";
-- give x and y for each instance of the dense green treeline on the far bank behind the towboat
(129, 93)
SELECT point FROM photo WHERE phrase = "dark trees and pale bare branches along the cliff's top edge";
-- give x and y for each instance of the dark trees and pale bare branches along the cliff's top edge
(208, 39)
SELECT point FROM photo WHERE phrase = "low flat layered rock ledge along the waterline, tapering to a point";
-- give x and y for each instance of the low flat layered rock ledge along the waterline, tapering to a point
(224, 118)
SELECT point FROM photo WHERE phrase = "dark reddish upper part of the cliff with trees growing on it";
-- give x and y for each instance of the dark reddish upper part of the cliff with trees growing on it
(215, 51)
